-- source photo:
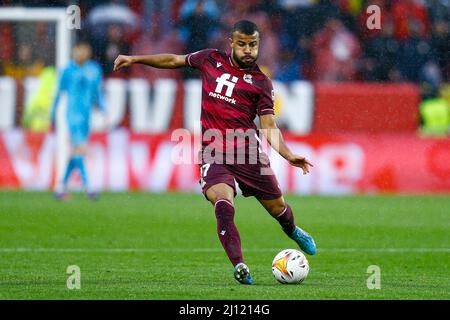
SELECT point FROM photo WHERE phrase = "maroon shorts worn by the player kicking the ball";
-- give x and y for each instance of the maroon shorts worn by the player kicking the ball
(256, 180)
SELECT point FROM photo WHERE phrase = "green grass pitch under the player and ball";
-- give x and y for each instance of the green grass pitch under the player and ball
(164, 246)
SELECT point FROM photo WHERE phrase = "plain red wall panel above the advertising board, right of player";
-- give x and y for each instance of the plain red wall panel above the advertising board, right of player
(366, 107)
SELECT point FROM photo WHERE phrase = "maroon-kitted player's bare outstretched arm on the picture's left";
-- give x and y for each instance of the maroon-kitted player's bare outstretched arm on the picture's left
(160, 61)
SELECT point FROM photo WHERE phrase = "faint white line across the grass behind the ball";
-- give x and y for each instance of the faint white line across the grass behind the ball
(212, 250)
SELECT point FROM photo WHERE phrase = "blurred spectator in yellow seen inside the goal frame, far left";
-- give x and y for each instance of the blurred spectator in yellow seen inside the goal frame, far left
(24, 64)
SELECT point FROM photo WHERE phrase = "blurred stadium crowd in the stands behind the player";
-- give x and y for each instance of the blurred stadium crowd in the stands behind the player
(317, 40)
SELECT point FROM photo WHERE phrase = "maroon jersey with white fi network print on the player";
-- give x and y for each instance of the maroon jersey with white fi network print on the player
(231, 97)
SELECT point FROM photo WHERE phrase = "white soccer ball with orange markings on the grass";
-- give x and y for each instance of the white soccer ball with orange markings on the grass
(290, 266)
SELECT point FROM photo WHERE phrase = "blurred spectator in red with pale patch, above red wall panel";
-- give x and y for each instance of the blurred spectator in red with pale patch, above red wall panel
(335, 52)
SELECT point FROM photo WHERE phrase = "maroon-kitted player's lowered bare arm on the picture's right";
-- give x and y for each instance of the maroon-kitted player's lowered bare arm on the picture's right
(275, 138)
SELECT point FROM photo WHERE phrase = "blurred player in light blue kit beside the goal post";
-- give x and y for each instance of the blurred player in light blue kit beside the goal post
(82, 81)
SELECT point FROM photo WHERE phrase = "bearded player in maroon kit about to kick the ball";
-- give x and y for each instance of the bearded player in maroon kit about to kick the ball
(234, 92)
